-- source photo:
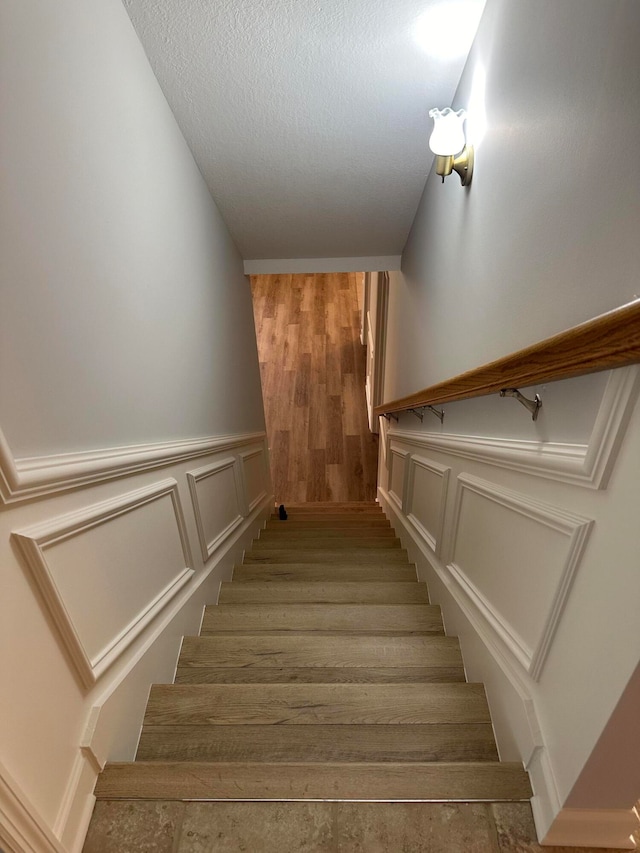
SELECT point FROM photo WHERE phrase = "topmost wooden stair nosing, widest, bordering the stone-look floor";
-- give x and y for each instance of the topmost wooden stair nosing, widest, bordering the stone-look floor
(379, 782)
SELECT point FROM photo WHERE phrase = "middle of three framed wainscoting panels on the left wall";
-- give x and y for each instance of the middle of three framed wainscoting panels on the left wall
(218, 502)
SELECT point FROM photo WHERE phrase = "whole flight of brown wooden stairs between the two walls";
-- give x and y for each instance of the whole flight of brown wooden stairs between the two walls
(322, 674)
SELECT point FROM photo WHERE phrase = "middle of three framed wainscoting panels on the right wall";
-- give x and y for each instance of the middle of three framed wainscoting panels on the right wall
(426, 499)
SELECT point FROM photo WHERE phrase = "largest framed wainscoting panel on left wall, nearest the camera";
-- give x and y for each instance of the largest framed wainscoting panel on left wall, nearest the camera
(87, 564)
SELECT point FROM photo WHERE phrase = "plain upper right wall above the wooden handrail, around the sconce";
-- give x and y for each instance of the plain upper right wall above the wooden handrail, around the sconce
(546, 235)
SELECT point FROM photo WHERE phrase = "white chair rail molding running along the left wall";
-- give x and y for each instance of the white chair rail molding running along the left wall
(43, 475)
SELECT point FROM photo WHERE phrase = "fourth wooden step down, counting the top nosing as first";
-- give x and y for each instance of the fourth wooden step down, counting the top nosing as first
(348, 618)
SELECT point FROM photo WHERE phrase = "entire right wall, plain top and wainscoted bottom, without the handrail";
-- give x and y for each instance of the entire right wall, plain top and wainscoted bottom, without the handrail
(544, 238)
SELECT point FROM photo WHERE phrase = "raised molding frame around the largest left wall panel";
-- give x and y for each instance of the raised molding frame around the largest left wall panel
(34, 542)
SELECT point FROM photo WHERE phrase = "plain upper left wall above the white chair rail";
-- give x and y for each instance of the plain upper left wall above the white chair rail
(122, 292)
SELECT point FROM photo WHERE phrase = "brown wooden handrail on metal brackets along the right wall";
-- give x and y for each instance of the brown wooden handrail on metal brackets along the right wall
(610, 340)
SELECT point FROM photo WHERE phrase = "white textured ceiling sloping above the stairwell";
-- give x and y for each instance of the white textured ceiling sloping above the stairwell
(307, 118)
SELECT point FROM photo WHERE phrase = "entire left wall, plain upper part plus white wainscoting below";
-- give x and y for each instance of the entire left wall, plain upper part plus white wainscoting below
(133, 461)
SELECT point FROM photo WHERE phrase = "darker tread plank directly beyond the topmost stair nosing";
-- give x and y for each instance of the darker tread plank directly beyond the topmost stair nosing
(437, 742)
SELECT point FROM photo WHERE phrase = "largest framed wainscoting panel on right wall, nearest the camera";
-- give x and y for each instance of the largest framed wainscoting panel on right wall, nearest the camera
(514, 559)
